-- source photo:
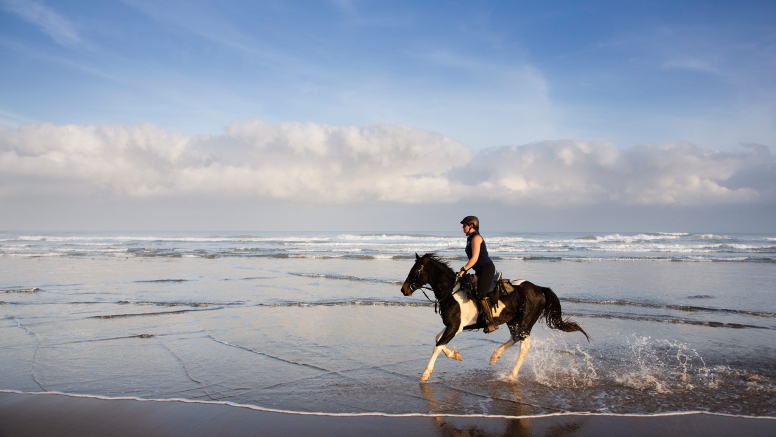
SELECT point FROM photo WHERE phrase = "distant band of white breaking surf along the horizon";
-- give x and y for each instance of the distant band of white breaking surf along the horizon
(659, 246)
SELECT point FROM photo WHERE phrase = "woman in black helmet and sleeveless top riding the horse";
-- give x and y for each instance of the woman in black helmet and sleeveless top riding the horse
(481, 263)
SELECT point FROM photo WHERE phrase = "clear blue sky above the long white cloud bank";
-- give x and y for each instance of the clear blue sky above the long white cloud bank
(483, 73)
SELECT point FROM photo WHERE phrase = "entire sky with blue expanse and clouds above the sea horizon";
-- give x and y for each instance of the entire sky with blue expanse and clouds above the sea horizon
(372, 115)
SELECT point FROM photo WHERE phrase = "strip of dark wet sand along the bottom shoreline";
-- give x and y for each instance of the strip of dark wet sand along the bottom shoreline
(34, 415)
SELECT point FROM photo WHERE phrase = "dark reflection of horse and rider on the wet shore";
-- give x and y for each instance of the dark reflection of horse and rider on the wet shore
(520, 426)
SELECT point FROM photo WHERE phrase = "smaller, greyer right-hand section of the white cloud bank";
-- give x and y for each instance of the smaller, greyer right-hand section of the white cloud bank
(573, 172)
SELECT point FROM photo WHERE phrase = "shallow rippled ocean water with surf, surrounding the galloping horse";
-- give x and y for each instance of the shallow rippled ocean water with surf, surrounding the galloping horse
(315, 322)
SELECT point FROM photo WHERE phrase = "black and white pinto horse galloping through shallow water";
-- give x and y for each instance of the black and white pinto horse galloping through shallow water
(520, 310)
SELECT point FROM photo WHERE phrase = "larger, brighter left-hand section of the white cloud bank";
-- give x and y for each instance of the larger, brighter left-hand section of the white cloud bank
(301, 162)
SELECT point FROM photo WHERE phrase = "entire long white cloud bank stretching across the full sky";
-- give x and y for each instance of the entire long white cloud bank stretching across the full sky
(320, 164)
